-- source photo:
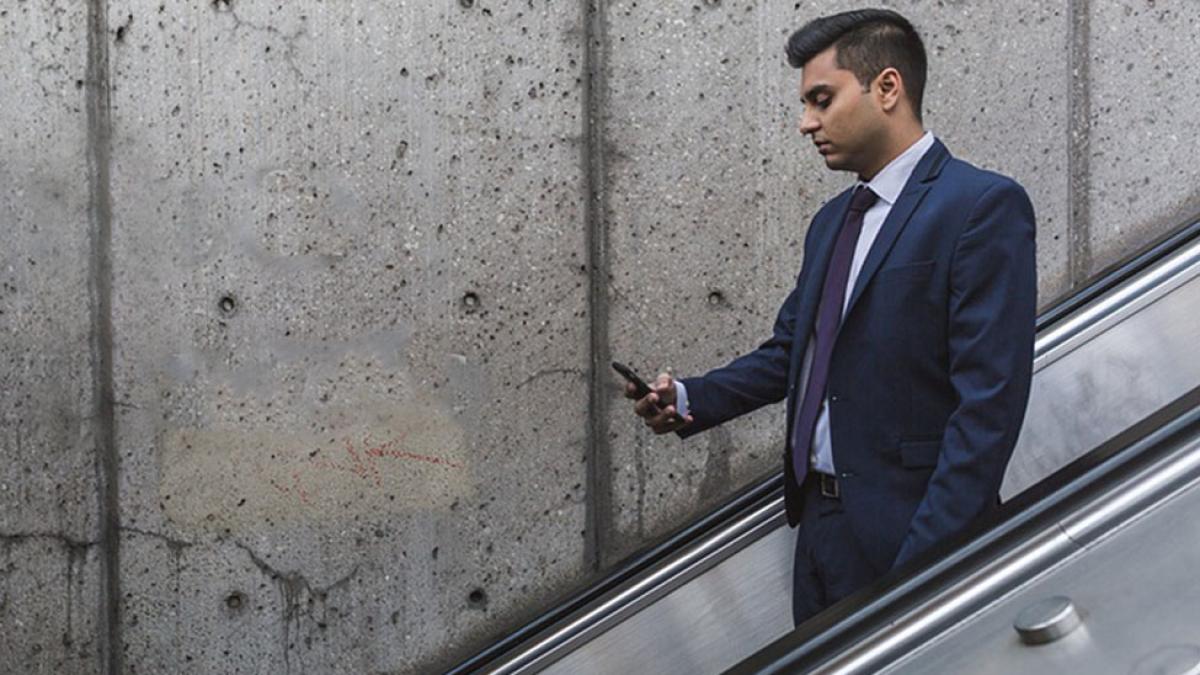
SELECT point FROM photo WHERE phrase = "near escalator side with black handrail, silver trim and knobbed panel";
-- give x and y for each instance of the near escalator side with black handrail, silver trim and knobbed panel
(1091, 571)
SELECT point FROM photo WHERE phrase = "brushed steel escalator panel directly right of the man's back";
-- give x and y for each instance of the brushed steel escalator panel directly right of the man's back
(1111, 367)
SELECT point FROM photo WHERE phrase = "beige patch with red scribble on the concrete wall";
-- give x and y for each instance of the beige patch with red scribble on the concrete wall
(371, 461)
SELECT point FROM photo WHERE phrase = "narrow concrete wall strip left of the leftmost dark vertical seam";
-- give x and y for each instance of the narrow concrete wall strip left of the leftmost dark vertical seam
(50, 569)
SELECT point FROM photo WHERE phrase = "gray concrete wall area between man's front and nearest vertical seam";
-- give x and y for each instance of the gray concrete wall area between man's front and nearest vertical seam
(707, 193)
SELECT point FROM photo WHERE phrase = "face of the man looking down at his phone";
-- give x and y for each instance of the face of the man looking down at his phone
(844, 121)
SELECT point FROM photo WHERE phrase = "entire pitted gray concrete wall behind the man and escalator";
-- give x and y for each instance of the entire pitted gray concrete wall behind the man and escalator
(307, 308)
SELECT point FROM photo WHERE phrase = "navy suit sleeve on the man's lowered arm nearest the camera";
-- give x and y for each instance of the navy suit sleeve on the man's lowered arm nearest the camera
(993, 309)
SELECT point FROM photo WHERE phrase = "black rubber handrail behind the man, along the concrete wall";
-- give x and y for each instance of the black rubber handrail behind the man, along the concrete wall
(771, 487)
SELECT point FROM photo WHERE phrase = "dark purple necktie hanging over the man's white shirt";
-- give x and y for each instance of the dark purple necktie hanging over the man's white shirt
(833, 297)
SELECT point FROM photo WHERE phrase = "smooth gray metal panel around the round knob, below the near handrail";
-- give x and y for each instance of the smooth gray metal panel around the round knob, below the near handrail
(1136, 589)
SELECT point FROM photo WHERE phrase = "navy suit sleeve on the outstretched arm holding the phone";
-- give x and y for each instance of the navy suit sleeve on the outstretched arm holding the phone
(749, 383)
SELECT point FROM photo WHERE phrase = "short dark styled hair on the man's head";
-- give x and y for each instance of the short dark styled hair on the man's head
(868, 41)
